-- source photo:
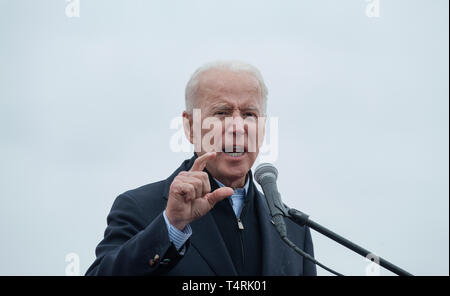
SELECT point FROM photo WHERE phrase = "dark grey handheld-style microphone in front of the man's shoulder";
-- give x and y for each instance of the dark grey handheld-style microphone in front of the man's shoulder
(266, 175)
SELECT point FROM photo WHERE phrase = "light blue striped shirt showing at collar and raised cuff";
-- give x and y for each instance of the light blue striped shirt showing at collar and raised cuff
(179, 237)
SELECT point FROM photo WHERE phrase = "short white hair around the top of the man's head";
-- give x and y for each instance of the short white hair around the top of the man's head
(233, 66)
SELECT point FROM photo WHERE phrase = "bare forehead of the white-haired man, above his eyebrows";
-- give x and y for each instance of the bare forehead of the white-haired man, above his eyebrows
(217, 86)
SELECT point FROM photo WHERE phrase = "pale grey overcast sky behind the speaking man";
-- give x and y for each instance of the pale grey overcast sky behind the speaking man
(362, 106)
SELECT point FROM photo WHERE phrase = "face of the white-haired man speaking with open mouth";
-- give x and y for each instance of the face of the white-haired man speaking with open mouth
(233, 100)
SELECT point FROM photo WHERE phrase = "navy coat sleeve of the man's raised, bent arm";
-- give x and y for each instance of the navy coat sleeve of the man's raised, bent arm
(130, 247)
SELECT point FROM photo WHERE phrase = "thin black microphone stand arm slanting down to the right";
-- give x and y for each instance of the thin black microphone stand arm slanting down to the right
(302, 219)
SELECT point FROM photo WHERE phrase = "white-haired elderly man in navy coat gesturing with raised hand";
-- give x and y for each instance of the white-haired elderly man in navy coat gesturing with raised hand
(207, 218)
